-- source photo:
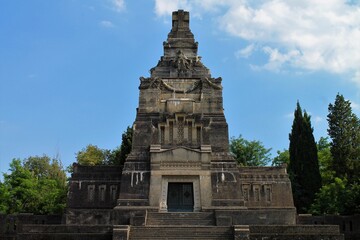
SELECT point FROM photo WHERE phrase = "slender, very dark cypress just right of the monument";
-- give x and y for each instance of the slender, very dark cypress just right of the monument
(304, 165)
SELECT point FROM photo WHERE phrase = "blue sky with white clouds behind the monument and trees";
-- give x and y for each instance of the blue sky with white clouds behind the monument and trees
(69, 70)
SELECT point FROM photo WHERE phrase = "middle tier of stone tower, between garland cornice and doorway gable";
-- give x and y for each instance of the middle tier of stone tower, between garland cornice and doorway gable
(192, 107)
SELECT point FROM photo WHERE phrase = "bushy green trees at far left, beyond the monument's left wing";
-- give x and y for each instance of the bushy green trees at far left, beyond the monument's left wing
(36, 185)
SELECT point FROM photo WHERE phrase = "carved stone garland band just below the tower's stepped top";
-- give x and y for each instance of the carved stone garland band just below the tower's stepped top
(158, 83)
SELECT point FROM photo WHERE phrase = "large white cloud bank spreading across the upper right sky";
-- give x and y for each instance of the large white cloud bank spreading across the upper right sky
(303, 34)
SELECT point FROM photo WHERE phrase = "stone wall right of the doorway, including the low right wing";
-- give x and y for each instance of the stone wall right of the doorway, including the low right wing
(250, 187)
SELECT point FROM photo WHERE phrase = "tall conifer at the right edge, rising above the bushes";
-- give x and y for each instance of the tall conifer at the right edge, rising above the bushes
(344, 131)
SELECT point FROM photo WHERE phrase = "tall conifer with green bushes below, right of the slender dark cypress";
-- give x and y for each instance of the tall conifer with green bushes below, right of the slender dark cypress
(339, 162)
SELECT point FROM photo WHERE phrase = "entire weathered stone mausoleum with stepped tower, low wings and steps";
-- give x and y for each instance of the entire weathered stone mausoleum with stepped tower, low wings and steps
(180, 181)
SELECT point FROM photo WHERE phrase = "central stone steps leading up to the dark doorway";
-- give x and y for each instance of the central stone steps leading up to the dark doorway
(184, 225)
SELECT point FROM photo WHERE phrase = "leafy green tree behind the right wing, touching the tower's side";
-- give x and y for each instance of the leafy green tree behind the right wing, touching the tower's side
(249, 153)
